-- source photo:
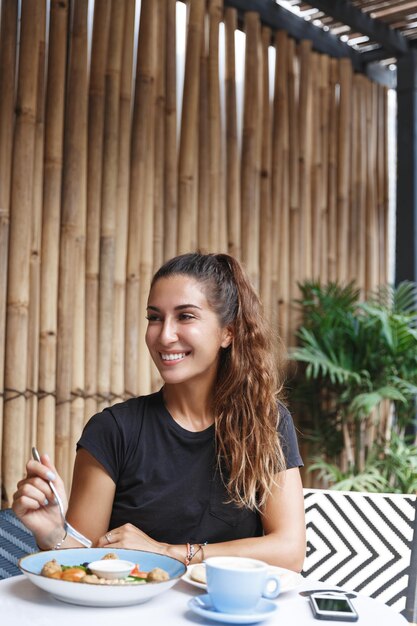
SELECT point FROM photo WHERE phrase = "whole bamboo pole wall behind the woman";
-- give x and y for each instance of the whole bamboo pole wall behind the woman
(101, 179)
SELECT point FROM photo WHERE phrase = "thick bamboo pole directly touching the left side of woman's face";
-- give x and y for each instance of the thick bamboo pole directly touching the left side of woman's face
(136, 363)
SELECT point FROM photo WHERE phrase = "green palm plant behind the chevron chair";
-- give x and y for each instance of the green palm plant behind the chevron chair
(360, 361)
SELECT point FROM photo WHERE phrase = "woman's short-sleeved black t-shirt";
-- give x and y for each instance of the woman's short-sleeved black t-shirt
(165, 477)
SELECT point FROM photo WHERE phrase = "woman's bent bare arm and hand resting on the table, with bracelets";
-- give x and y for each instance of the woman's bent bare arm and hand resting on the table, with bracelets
(283, 543)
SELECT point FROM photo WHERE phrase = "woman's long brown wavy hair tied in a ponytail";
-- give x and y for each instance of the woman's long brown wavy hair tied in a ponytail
(245, 396)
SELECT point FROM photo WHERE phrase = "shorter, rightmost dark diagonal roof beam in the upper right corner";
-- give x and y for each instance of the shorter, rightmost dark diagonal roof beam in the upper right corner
(391, 40)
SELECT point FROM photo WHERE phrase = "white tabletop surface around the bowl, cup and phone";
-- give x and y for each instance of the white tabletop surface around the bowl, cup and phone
(23, 604)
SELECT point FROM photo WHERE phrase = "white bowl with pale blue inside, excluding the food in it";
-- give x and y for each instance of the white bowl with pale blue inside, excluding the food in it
(109, 594)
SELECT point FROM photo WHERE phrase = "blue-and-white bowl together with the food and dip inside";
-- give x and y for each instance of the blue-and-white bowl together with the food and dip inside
(82, 575)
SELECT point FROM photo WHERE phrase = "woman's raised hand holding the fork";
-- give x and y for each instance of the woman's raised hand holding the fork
(34, 503)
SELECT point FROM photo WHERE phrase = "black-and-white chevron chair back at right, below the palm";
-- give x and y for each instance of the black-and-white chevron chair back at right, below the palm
(363, 542)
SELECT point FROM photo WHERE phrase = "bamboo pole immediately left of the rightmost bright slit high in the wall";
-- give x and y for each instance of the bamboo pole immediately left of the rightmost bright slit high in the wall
(266, 233)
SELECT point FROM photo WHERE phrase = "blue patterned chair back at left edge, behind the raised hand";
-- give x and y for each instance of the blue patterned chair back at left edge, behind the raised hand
(15, 541)
